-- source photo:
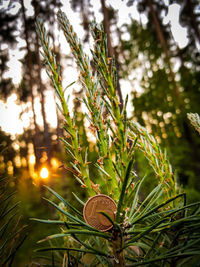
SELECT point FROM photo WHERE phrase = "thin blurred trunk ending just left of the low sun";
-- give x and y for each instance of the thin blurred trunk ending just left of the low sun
(36, 140)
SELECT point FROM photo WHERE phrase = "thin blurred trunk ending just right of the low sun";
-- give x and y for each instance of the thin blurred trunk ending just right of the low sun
(47, 137)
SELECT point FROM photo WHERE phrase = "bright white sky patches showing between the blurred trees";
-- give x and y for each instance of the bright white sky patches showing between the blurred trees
(10, 120)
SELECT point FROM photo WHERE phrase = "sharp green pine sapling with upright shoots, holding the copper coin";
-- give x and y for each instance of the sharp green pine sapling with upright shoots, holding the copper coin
(159, 228)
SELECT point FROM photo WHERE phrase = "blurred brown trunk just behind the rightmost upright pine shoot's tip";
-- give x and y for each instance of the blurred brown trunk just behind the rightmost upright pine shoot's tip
(111, 50)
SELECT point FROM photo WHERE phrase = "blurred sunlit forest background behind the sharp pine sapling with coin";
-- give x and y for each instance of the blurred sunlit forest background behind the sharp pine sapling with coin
(165, 86)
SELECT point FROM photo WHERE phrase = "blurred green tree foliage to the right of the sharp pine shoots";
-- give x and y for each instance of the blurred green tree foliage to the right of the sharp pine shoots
(168, 90)
